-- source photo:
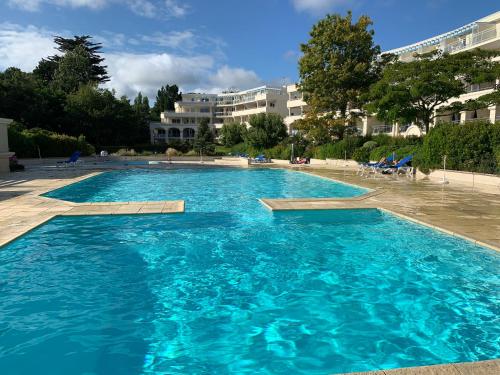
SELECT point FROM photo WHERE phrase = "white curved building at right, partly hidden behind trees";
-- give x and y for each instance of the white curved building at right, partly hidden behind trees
(483, 33)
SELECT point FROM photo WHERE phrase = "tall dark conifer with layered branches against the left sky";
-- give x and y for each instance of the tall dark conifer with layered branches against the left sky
(98, 72)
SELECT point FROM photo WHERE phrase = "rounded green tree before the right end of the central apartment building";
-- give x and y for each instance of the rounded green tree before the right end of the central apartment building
(266, 130)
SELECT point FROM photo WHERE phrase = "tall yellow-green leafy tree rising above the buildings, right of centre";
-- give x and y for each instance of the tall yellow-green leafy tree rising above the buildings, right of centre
(339, 63)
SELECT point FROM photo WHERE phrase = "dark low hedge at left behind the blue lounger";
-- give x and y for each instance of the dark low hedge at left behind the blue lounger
(32, 143)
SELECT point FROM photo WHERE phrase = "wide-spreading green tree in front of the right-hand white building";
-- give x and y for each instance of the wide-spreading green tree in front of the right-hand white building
(412, 91)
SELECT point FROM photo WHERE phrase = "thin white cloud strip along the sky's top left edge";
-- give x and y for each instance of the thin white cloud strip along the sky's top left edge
(145, 8)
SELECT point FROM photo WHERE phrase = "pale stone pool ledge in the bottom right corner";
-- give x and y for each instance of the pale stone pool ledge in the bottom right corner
(491, 367)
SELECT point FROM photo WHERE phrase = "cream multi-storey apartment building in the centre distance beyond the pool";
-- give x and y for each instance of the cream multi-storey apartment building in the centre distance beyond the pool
(218, 109)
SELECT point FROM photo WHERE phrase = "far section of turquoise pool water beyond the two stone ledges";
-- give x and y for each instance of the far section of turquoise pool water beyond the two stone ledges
(217, 189)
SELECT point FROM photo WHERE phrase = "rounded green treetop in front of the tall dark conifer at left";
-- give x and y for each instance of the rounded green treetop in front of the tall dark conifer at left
(73, 70)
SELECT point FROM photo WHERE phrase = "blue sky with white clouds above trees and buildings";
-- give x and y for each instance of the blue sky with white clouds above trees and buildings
(210, 45)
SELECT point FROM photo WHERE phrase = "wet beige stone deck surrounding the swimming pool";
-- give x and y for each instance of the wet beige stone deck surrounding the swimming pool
(471, 214)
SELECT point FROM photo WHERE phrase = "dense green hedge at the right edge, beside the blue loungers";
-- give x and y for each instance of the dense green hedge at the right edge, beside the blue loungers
(468, 147)
